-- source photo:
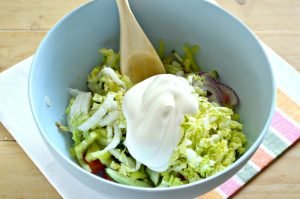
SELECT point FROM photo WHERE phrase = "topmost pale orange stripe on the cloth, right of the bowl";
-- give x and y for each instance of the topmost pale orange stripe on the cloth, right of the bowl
(288, 105)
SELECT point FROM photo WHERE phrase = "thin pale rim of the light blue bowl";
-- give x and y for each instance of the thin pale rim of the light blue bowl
(244, 158)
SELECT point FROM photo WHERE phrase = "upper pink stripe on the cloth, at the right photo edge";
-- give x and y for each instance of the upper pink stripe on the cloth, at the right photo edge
(285, 127)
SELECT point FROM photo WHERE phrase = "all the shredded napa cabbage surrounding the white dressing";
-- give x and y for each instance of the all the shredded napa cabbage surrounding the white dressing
(211, 140)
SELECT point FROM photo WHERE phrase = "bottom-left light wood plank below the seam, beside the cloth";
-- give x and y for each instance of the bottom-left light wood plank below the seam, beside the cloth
(19, 177)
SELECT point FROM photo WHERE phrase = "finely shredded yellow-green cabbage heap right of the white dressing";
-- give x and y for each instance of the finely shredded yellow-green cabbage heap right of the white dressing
(211, 142)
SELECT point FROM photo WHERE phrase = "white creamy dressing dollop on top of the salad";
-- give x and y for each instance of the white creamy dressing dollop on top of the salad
(154, 110)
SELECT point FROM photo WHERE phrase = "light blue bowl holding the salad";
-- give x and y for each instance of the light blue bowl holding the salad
(70, 50)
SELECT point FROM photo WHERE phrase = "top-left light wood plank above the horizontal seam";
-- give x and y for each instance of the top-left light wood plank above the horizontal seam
(33, 14)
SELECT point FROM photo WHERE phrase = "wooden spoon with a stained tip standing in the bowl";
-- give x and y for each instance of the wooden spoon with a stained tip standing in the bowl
(139, 59)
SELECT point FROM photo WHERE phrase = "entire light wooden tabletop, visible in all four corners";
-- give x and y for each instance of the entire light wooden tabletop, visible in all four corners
(23, 23)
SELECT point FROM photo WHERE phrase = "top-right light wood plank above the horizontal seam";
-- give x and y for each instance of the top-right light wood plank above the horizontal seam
(266, 15)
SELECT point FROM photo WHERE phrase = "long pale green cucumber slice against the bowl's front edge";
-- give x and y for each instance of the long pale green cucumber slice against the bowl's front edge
(124, 179)
